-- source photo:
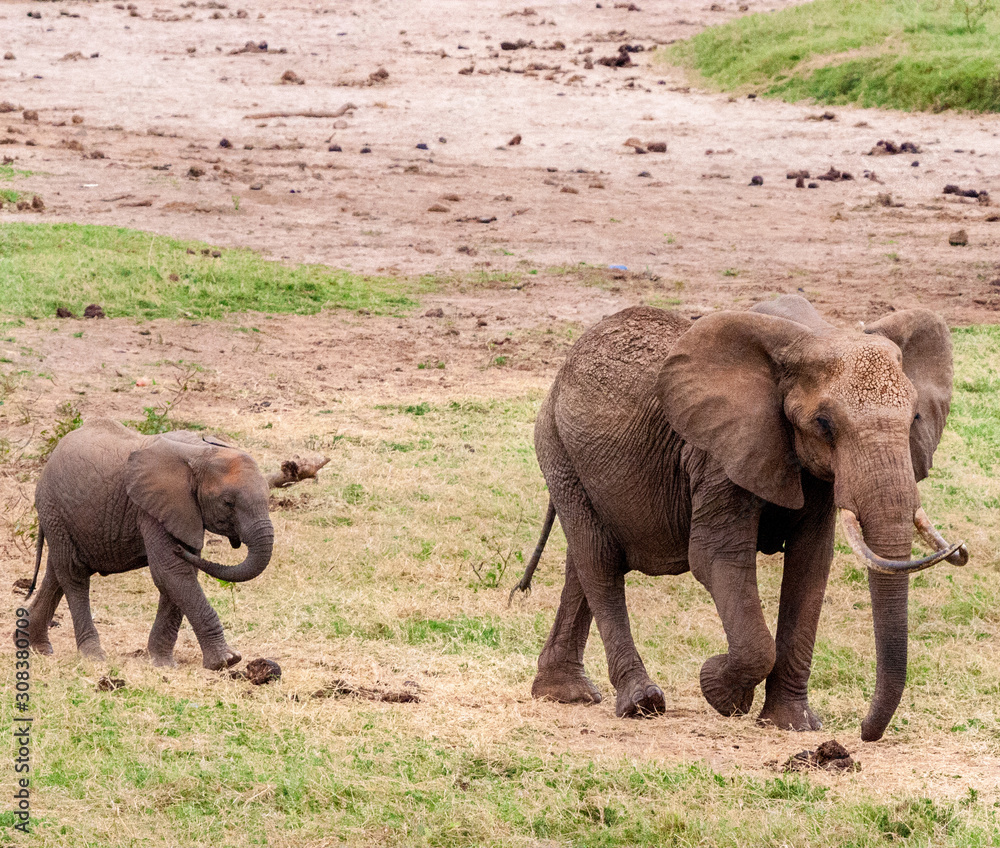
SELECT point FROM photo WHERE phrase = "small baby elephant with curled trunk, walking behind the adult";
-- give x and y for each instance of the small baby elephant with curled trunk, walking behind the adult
(110, 500)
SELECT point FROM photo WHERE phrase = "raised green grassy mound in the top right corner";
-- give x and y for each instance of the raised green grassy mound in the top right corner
(901, 54)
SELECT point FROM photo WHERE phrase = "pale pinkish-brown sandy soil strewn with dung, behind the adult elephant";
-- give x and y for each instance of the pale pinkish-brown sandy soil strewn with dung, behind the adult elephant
(165, 89)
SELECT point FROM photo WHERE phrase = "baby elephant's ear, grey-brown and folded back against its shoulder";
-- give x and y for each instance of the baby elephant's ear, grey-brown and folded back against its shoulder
(160, 482)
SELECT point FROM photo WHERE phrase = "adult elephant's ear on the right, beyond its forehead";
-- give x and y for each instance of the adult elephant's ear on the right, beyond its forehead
(924, 339)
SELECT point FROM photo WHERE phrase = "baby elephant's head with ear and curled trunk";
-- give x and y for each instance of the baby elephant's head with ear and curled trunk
(191, 485)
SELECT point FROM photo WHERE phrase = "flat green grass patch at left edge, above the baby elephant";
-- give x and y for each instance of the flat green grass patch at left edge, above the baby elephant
(131, 273)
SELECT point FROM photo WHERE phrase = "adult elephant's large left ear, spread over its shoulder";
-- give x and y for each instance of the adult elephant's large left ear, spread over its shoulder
(719, 388)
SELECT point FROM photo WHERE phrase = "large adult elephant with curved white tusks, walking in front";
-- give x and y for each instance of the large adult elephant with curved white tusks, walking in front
(669, 446)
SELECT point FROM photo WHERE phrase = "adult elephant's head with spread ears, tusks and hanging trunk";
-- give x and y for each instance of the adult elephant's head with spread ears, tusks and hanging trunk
(775, 391)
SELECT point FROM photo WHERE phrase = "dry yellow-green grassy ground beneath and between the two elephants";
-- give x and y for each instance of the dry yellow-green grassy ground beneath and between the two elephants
(395, 568)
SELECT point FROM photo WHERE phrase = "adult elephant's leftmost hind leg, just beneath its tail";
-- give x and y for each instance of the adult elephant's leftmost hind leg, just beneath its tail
(560, 667)
